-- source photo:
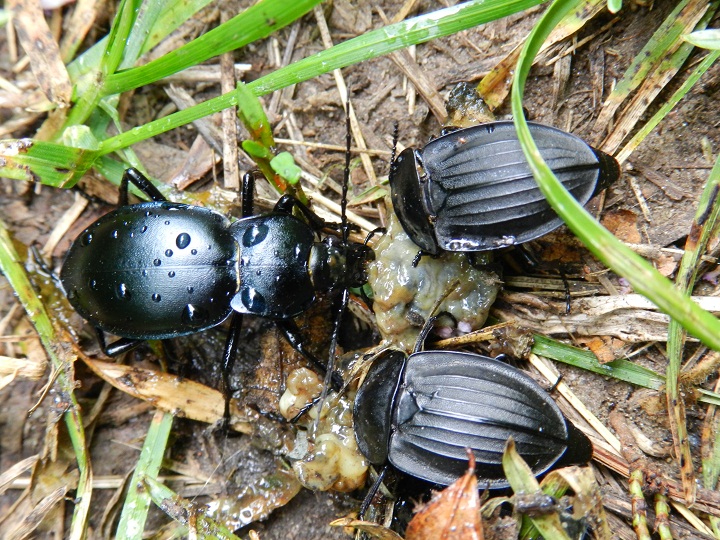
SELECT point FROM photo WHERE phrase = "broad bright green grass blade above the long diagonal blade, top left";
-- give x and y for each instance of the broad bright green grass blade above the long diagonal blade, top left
(255, 23)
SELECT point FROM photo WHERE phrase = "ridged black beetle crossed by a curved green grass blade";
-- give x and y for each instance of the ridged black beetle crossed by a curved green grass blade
(472, 190)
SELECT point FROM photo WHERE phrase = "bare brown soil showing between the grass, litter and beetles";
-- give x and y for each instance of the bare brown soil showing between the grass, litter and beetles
(669, 169)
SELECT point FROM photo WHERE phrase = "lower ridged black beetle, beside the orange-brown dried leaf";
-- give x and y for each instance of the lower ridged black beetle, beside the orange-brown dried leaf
(421, 412)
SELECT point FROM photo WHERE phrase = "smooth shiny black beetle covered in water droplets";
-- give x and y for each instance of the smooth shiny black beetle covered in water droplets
(159, 270)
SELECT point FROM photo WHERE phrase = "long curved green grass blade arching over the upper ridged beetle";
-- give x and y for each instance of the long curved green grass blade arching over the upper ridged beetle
(641, 275)
